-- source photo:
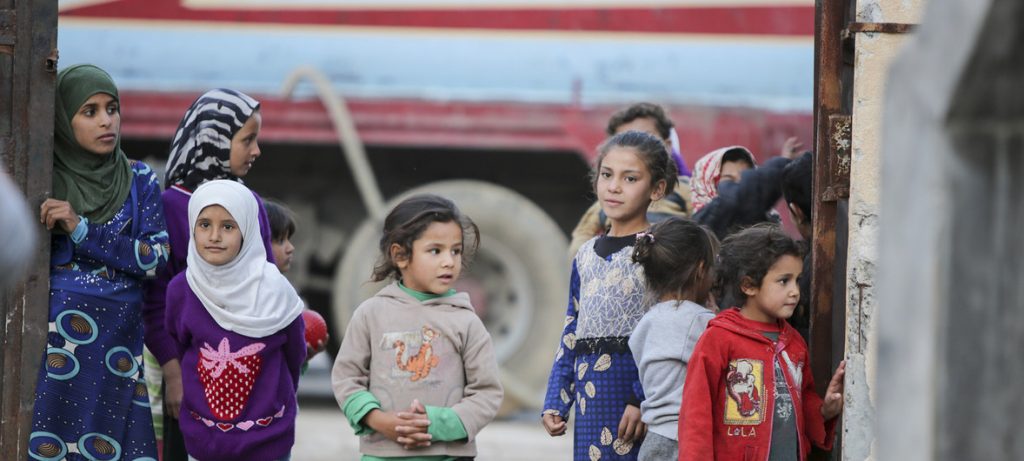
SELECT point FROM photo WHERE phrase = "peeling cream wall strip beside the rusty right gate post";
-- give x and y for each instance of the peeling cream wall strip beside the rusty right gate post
(875, 54)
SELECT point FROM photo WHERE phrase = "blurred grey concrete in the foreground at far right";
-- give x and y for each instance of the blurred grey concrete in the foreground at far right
(952, 326)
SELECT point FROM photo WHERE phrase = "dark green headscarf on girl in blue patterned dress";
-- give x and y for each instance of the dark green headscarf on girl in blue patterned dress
(96, 186)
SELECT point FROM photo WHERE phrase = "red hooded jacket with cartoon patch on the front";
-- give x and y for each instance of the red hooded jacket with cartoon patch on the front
(729, 399)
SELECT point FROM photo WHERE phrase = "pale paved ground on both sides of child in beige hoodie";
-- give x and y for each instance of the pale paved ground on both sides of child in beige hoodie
(323, 434)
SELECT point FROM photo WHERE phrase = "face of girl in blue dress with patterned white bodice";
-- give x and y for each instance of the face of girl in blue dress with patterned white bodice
(625, 188)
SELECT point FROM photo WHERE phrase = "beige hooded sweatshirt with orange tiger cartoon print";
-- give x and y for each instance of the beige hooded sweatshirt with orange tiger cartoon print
(400, 349)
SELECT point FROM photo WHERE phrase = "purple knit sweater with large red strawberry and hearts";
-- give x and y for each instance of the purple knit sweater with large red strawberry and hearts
(240, 399)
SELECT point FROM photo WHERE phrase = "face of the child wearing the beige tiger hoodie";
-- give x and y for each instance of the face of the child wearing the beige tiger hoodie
(436, 262)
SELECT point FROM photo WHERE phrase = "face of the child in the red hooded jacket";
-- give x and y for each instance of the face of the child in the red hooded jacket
(779, 294)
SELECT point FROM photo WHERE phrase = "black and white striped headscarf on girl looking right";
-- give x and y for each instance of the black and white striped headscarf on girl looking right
(201, 150)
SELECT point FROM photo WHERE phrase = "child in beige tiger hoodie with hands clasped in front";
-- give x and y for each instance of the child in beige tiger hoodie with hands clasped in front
(418, 341)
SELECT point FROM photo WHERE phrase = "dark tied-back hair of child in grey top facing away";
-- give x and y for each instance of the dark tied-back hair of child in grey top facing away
(678, 258)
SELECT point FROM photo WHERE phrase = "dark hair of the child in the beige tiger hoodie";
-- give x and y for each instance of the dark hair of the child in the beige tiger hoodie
(410, 220)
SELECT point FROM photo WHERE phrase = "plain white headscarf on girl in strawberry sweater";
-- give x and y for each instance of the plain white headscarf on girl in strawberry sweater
(247, 296)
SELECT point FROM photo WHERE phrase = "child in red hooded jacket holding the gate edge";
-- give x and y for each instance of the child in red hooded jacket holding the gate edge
(749, 392)
